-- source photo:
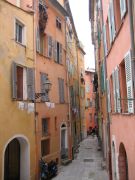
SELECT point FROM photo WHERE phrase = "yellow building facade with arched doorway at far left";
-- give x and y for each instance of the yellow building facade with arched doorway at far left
(17, 129)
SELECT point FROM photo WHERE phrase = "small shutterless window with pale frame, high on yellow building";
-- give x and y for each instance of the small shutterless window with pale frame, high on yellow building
(19, 32)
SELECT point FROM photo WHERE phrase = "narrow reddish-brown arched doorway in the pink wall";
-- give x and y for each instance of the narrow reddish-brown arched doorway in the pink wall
(123, 163)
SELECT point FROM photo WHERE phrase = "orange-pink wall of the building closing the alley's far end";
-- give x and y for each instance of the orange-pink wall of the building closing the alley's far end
(88, 80)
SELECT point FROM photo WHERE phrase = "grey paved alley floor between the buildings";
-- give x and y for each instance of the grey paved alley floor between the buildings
(87, 165)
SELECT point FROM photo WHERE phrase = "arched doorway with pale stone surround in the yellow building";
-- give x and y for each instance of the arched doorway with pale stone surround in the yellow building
(16, 159)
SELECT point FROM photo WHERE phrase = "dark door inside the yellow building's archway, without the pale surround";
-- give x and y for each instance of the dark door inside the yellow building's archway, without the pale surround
(12, 161)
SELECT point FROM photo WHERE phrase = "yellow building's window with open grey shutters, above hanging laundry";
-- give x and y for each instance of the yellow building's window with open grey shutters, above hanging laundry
(22, 82)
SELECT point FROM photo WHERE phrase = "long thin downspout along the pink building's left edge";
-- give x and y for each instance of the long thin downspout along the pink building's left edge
(108, 115)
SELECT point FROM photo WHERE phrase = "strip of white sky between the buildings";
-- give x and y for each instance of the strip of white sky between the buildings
(80, 11)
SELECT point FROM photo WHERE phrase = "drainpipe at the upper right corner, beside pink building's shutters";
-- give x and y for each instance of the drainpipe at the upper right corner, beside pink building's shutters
(130, 5)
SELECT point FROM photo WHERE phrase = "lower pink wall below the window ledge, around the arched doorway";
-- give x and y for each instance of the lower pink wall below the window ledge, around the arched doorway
(122, 127)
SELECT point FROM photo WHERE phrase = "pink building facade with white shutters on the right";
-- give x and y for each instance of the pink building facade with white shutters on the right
(117, 35)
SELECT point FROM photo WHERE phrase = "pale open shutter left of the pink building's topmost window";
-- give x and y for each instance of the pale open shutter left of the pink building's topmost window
(112, 19)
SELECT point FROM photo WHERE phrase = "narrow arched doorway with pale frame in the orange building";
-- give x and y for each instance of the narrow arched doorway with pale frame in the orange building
(64, 142)
